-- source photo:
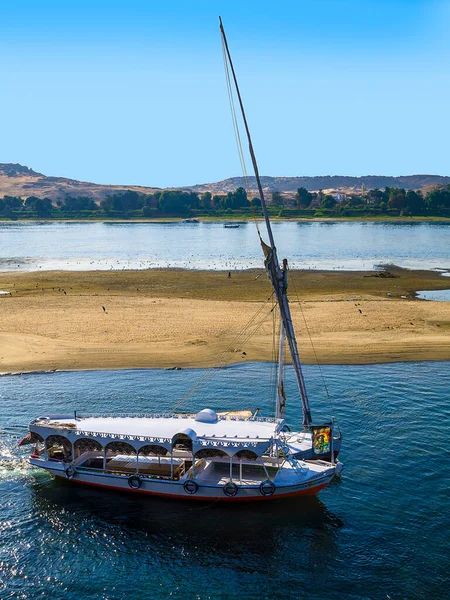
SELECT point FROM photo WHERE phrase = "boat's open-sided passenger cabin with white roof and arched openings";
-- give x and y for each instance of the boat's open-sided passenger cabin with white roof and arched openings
(210, 447)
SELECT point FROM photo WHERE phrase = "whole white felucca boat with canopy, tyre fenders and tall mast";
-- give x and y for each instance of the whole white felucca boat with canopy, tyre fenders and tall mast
(204, 455)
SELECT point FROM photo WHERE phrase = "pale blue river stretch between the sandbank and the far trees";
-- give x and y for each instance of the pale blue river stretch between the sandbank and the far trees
(320, 245)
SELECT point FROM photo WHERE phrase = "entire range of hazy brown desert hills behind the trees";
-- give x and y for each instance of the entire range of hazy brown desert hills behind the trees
(18, 180)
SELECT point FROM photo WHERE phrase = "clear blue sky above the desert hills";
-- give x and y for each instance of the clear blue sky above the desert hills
(134, 92)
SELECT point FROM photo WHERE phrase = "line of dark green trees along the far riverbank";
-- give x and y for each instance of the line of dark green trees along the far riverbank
(176, 203)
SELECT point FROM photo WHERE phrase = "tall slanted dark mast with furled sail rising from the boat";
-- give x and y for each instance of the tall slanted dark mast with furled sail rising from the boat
(277, 275)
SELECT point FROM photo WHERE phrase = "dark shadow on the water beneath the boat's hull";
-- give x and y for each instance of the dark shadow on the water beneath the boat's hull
(257, 528)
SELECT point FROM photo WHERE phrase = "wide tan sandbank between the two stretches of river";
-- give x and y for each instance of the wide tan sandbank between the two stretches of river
(55, 320)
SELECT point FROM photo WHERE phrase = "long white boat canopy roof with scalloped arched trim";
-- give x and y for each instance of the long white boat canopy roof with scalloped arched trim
(204, 430)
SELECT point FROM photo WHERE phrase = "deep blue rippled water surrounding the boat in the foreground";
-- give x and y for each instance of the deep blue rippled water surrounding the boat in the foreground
(381, 532)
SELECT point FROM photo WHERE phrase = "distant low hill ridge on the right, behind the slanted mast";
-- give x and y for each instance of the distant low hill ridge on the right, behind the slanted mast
(291, 184)
